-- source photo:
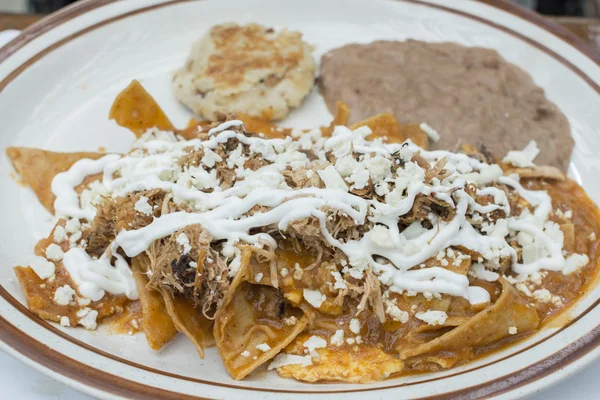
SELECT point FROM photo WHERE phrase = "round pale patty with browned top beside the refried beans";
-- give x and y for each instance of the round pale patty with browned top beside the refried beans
(247, 69)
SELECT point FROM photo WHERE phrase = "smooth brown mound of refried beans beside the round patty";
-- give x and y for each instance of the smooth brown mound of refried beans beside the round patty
(468, 94)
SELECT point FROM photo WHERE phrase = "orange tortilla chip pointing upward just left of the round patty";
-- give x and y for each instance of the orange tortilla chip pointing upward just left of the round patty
(135, 109)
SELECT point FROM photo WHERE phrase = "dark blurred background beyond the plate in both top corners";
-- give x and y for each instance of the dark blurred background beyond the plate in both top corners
(573, 8)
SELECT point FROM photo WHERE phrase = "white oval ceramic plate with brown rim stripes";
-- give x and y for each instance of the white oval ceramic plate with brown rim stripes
(58, 79)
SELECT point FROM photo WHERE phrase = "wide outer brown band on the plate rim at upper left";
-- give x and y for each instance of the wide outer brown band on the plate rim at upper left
(49, 22)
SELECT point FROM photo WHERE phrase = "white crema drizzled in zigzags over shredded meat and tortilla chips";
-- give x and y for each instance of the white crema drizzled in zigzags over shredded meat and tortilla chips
(221, 212)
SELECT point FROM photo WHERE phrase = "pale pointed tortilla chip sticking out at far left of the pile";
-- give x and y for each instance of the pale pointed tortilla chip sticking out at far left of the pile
(39, 167)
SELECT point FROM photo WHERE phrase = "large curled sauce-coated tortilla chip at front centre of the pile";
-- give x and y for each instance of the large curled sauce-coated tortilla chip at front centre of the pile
(254, 324)
